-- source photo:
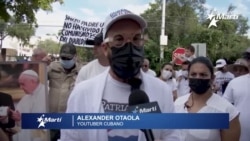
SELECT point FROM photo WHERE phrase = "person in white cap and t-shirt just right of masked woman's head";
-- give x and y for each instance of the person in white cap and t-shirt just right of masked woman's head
(222, 76)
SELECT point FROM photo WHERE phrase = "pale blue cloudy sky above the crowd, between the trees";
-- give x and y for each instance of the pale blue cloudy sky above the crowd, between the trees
(96, 10)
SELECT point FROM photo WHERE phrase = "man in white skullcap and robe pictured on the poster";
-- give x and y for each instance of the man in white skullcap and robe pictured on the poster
(34, 101)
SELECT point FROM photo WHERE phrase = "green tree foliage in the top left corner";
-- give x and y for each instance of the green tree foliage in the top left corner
(24, 10)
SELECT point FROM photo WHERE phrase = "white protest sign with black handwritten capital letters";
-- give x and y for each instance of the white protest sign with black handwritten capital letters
(76, 31)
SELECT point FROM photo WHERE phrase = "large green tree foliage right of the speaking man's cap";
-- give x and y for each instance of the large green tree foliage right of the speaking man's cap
(186, 23)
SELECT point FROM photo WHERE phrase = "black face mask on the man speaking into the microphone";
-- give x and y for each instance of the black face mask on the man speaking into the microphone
(126, 61)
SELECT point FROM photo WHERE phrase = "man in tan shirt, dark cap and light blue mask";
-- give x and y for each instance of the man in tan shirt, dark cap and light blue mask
(61, 76)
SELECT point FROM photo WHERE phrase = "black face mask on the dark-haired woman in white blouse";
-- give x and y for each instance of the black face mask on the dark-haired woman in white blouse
(199, 86)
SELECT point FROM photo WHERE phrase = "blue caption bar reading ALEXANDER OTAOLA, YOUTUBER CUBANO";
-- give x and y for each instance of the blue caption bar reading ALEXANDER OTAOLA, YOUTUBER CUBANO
(125, 121)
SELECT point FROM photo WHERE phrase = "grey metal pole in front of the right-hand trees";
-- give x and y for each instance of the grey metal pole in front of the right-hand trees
(163, 28)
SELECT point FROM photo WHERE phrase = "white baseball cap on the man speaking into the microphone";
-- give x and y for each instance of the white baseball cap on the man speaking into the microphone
(119, 15)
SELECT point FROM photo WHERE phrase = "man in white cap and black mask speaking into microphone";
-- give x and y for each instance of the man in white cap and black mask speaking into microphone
(109, 92)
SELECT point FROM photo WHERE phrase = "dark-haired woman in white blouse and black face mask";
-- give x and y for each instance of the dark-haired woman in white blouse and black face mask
(203, 100)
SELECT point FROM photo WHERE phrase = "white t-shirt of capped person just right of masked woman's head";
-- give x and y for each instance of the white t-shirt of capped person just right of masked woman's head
(221, 78)
